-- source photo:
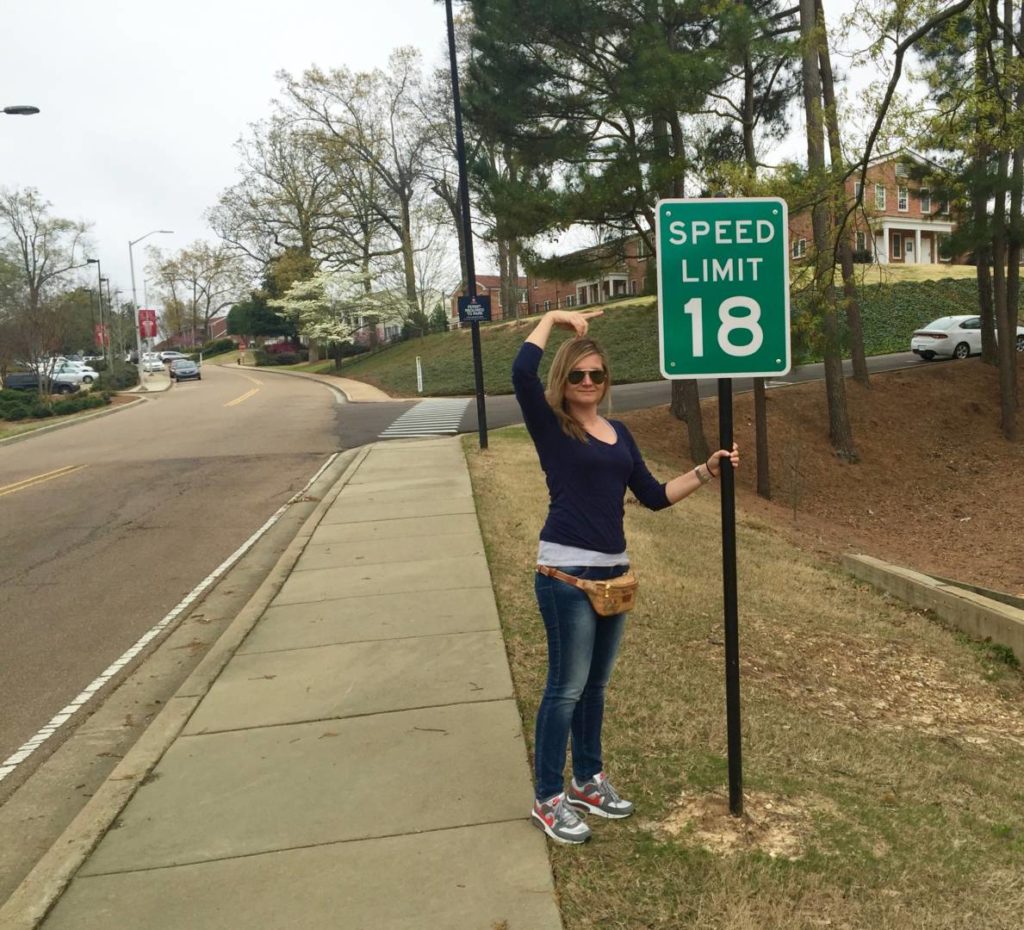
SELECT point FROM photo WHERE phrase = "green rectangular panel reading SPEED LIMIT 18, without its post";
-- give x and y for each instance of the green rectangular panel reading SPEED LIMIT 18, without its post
(723, 288)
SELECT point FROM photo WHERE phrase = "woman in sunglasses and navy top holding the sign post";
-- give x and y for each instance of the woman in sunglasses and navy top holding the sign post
(589, 462)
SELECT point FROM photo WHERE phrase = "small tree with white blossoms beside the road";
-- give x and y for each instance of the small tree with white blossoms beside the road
(331, 309)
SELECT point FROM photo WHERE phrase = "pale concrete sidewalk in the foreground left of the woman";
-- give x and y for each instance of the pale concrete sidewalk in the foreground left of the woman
(359, 763)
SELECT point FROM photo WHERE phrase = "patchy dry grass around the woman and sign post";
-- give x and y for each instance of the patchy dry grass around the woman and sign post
(882, 766)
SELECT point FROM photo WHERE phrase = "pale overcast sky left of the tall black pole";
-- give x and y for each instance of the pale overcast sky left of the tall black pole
(142, 103)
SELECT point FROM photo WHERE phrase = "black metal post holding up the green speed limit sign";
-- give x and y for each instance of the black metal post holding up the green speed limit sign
(732, 607)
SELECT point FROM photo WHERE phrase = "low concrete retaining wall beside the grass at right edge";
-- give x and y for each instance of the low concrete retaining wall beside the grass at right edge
(975, 615)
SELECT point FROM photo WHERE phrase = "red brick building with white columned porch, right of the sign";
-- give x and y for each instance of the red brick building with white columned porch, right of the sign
(900, 223)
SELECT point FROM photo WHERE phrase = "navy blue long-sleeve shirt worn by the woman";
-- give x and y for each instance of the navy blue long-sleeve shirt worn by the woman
(587, 482)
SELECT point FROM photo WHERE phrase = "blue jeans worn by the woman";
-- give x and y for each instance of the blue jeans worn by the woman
(582, 650)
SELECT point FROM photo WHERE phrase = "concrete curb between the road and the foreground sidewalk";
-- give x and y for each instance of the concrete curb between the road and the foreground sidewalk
(32, 901)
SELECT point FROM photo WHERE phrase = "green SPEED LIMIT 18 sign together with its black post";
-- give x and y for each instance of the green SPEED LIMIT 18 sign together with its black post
(723, 295)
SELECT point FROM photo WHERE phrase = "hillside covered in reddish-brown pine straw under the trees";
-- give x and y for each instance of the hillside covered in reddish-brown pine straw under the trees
(937, 488)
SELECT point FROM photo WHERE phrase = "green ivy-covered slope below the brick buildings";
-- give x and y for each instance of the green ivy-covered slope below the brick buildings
(629, 330)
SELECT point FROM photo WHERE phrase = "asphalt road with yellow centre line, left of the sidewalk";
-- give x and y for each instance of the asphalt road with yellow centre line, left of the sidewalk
(129, 514)
